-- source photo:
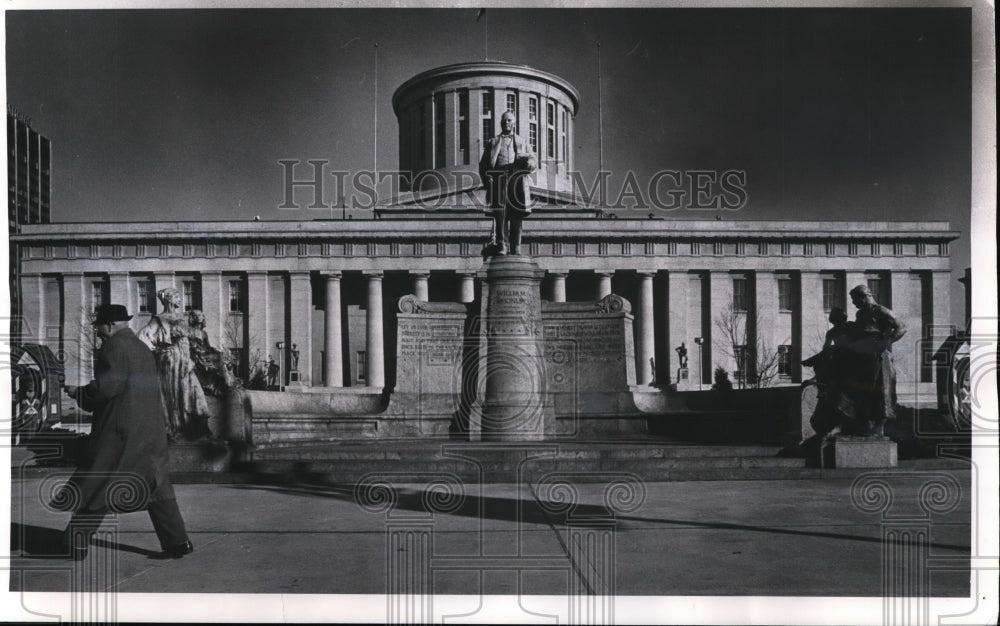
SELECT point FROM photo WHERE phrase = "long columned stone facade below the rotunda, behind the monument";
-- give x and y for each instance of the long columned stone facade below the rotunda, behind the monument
(303, 283)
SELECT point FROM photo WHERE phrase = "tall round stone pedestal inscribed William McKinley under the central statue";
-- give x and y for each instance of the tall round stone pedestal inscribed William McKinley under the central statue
(512, 374)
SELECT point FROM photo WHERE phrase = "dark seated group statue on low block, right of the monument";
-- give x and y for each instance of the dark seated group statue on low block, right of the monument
(855, 369)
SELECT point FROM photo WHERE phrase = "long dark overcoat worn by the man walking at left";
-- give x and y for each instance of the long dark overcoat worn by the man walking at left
(125, 465)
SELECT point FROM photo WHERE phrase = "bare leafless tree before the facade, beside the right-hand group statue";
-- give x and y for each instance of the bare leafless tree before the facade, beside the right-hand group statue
(755, 357)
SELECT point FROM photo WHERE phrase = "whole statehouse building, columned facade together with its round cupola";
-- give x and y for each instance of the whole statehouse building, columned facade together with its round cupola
(330, 288)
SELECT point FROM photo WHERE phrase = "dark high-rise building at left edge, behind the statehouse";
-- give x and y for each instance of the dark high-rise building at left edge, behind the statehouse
(29, 188)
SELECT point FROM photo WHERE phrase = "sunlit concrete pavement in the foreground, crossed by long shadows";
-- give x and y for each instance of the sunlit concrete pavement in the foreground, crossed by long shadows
(722, 538)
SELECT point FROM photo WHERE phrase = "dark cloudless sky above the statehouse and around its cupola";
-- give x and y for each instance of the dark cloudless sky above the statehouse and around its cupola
(183, 115)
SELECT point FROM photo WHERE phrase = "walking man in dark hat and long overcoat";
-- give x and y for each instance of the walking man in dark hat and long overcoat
(125, 465)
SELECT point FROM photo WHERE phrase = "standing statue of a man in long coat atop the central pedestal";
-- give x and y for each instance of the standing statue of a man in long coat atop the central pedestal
(504, 167)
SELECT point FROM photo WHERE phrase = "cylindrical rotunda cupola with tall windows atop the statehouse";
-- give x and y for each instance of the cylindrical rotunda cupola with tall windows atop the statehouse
(445, 115)
